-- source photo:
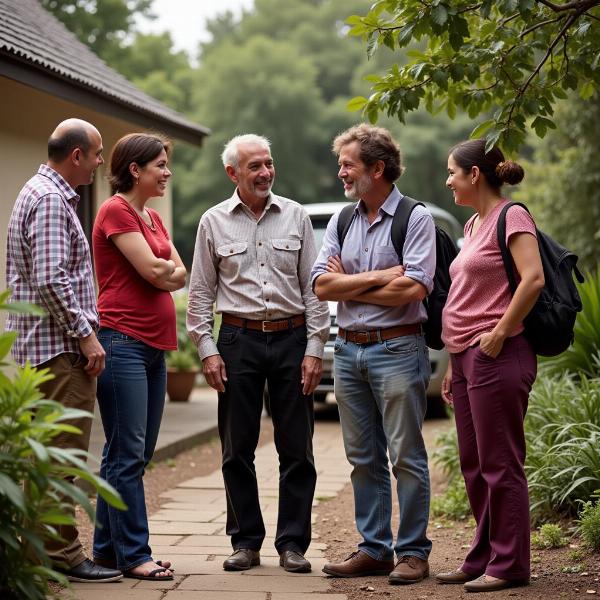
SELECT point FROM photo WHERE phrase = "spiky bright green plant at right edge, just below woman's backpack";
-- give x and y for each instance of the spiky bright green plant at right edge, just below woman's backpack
(583, 356)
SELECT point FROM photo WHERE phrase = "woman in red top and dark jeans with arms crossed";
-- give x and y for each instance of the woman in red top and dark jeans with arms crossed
(137, 267)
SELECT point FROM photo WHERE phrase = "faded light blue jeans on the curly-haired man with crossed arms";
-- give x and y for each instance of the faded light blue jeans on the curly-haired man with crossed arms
(381, 394)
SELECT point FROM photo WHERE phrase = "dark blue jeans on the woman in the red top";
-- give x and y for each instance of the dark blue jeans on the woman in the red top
(131, 396)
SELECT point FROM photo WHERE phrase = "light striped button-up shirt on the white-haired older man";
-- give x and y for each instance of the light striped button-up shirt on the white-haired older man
(255, 268)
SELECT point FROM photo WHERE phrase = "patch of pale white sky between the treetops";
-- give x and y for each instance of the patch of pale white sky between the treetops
(186, 19)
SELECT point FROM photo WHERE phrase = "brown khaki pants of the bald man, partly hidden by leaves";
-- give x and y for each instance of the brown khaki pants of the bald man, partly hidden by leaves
(73, 388)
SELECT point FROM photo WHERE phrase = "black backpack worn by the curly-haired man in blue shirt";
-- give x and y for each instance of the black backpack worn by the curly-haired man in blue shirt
(445, 252)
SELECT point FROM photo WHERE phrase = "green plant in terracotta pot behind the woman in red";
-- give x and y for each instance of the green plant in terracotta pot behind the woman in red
(183, 364)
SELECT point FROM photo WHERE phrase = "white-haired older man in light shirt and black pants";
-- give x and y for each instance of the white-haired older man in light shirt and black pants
(252, 260)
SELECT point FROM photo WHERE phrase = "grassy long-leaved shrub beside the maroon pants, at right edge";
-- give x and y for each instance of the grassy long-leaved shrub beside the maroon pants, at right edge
(562, 429)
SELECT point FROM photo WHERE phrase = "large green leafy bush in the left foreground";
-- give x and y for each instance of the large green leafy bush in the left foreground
(30, 513)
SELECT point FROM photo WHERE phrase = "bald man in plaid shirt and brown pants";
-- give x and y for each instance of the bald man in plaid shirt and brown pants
(48, 264)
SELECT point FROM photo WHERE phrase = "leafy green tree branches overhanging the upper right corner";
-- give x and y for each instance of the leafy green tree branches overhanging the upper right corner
(509, 60)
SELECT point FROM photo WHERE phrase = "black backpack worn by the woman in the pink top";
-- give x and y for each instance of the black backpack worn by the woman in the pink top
(550, 323)
